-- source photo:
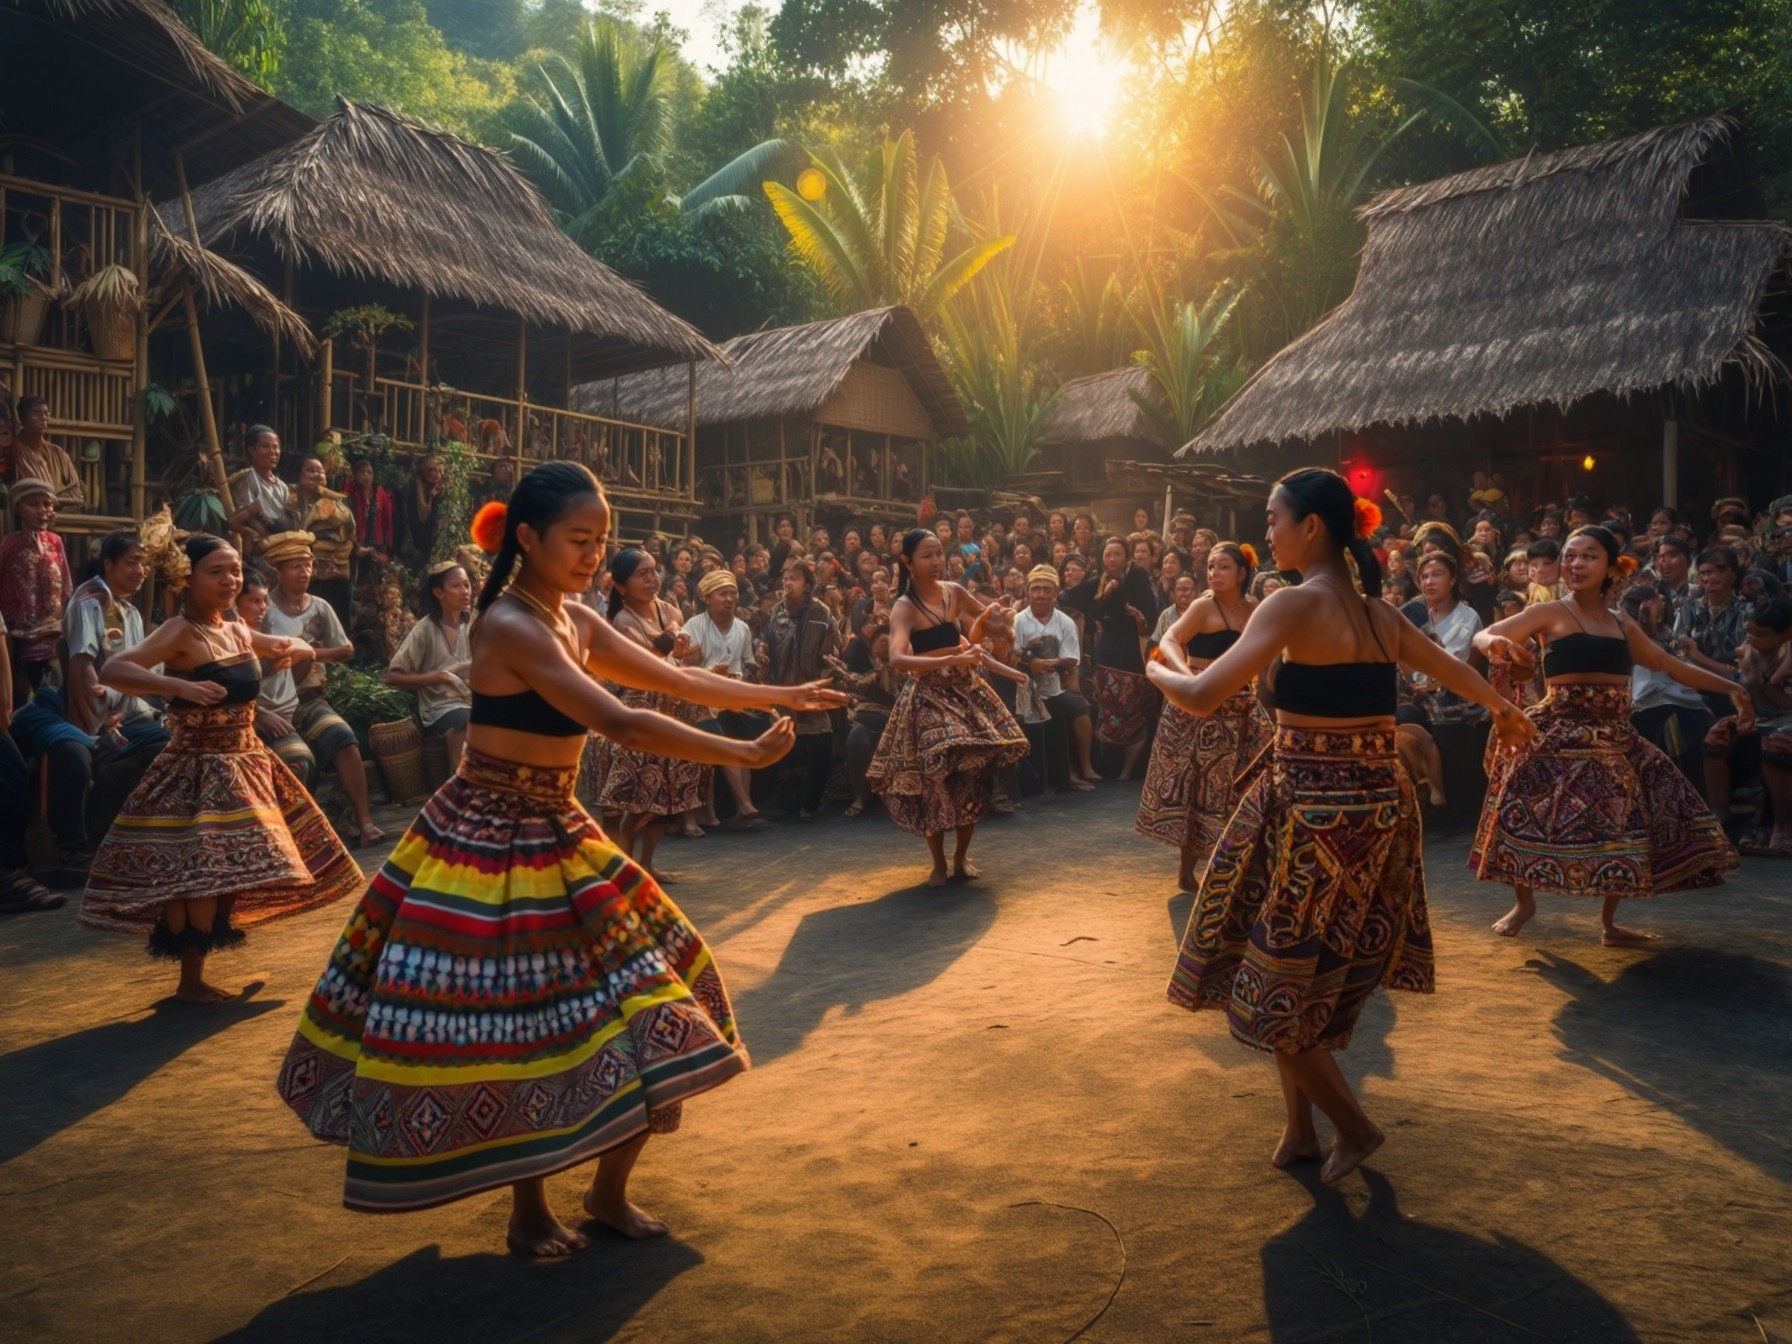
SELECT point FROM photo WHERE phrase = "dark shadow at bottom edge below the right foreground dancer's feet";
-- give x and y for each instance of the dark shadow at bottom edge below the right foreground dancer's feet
(1390, 1279)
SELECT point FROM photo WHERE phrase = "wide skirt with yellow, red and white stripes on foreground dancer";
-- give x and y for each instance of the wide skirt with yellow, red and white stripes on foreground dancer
(512, 997)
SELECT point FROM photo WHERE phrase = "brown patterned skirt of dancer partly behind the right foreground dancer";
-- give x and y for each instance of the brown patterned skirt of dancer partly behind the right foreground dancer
(1193, 782)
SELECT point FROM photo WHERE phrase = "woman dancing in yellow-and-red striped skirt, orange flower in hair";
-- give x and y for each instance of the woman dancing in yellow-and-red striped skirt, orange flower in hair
(513, 994)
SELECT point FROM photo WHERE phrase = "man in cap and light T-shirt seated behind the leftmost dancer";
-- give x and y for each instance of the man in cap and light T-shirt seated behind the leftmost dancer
(295, 614)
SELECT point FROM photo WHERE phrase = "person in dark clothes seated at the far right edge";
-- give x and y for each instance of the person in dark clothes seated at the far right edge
(1766, 671)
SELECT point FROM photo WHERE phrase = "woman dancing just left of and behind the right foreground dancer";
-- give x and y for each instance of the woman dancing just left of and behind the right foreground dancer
(1191, 786)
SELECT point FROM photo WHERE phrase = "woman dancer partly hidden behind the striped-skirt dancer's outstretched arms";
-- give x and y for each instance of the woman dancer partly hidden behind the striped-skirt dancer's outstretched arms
(642, 788)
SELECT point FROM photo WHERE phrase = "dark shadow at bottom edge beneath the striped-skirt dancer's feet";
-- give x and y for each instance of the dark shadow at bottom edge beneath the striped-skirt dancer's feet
(589, 1297)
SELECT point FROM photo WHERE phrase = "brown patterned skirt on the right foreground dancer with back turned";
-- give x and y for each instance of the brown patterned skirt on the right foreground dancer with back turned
(1314, 895)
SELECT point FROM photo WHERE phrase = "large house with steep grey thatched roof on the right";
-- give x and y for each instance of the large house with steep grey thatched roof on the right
(1567, 320)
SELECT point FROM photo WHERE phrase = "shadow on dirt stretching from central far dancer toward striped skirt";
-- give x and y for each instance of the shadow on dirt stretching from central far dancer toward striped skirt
(859, 954)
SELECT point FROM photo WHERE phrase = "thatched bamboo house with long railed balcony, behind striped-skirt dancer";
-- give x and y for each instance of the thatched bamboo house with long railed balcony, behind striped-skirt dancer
(503, 313)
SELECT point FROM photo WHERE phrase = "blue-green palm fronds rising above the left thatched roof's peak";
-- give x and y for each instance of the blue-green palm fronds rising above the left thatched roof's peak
(596, 121)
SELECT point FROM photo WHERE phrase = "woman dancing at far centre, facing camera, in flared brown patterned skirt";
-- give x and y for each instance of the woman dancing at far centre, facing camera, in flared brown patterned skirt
(949, 730)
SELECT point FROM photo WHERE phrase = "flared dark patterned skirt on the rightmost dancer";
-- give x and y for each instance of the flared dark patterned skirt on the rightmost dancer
(1594, 809)
